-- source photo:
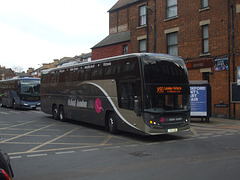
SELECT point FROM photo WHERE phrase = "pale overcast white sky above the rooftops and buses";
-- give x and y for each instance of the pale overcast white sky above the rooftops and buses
(33, 32)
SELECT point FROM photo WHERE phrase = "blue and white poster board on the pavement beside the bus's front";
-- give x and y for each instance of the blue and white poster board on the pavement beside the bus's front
(200, 99)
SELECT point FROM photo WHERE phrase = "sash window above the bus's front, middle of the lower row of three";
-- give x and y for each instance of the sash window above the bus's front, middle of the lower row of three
(172, 42)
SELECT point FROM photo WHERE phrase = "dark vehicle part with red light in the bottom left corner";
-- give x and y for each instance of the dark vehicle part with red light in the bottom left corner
(6, 172)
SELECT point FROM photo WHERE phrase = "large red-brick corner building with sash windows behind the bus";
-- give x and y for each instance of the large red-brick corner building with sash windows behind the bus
(205, 33)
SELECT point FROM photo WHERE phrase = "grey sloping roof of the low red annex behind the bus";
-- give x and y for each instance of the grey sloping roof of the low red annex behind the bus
(114, 39)
